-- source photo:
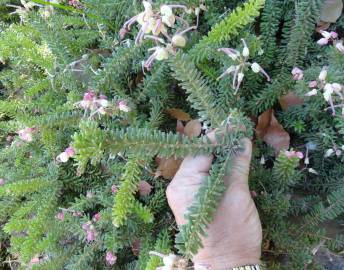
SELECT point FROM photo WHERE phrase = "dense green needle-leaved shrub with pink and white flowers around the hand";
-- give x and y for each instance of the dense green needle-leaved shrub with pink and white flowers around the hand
(85, 111)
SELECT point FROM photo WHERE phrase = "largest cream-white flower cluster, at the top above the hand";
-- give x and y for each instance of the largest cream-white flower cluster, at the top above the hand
(157, 25)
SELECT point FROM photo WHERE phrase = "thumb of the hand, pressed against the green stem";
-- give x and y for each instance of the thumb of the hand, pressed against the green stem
(241, 164)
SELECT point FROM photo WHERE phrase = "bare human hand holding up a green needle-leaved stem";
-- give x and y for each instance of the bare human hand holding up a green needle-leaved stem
(235, 235)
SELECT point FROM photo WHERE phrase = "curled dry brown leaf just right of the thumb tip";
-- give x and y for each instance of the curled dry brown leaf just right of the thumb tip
(271, 132)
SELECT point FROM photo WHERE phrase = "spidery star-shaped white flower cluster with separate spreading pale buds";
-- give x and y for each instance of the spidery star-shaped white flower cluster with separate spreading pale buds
(241, 60)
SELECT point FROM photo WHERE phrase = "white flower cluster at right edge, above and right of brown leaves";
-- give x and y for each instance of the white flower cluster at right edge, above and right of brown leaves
(332, 92)
